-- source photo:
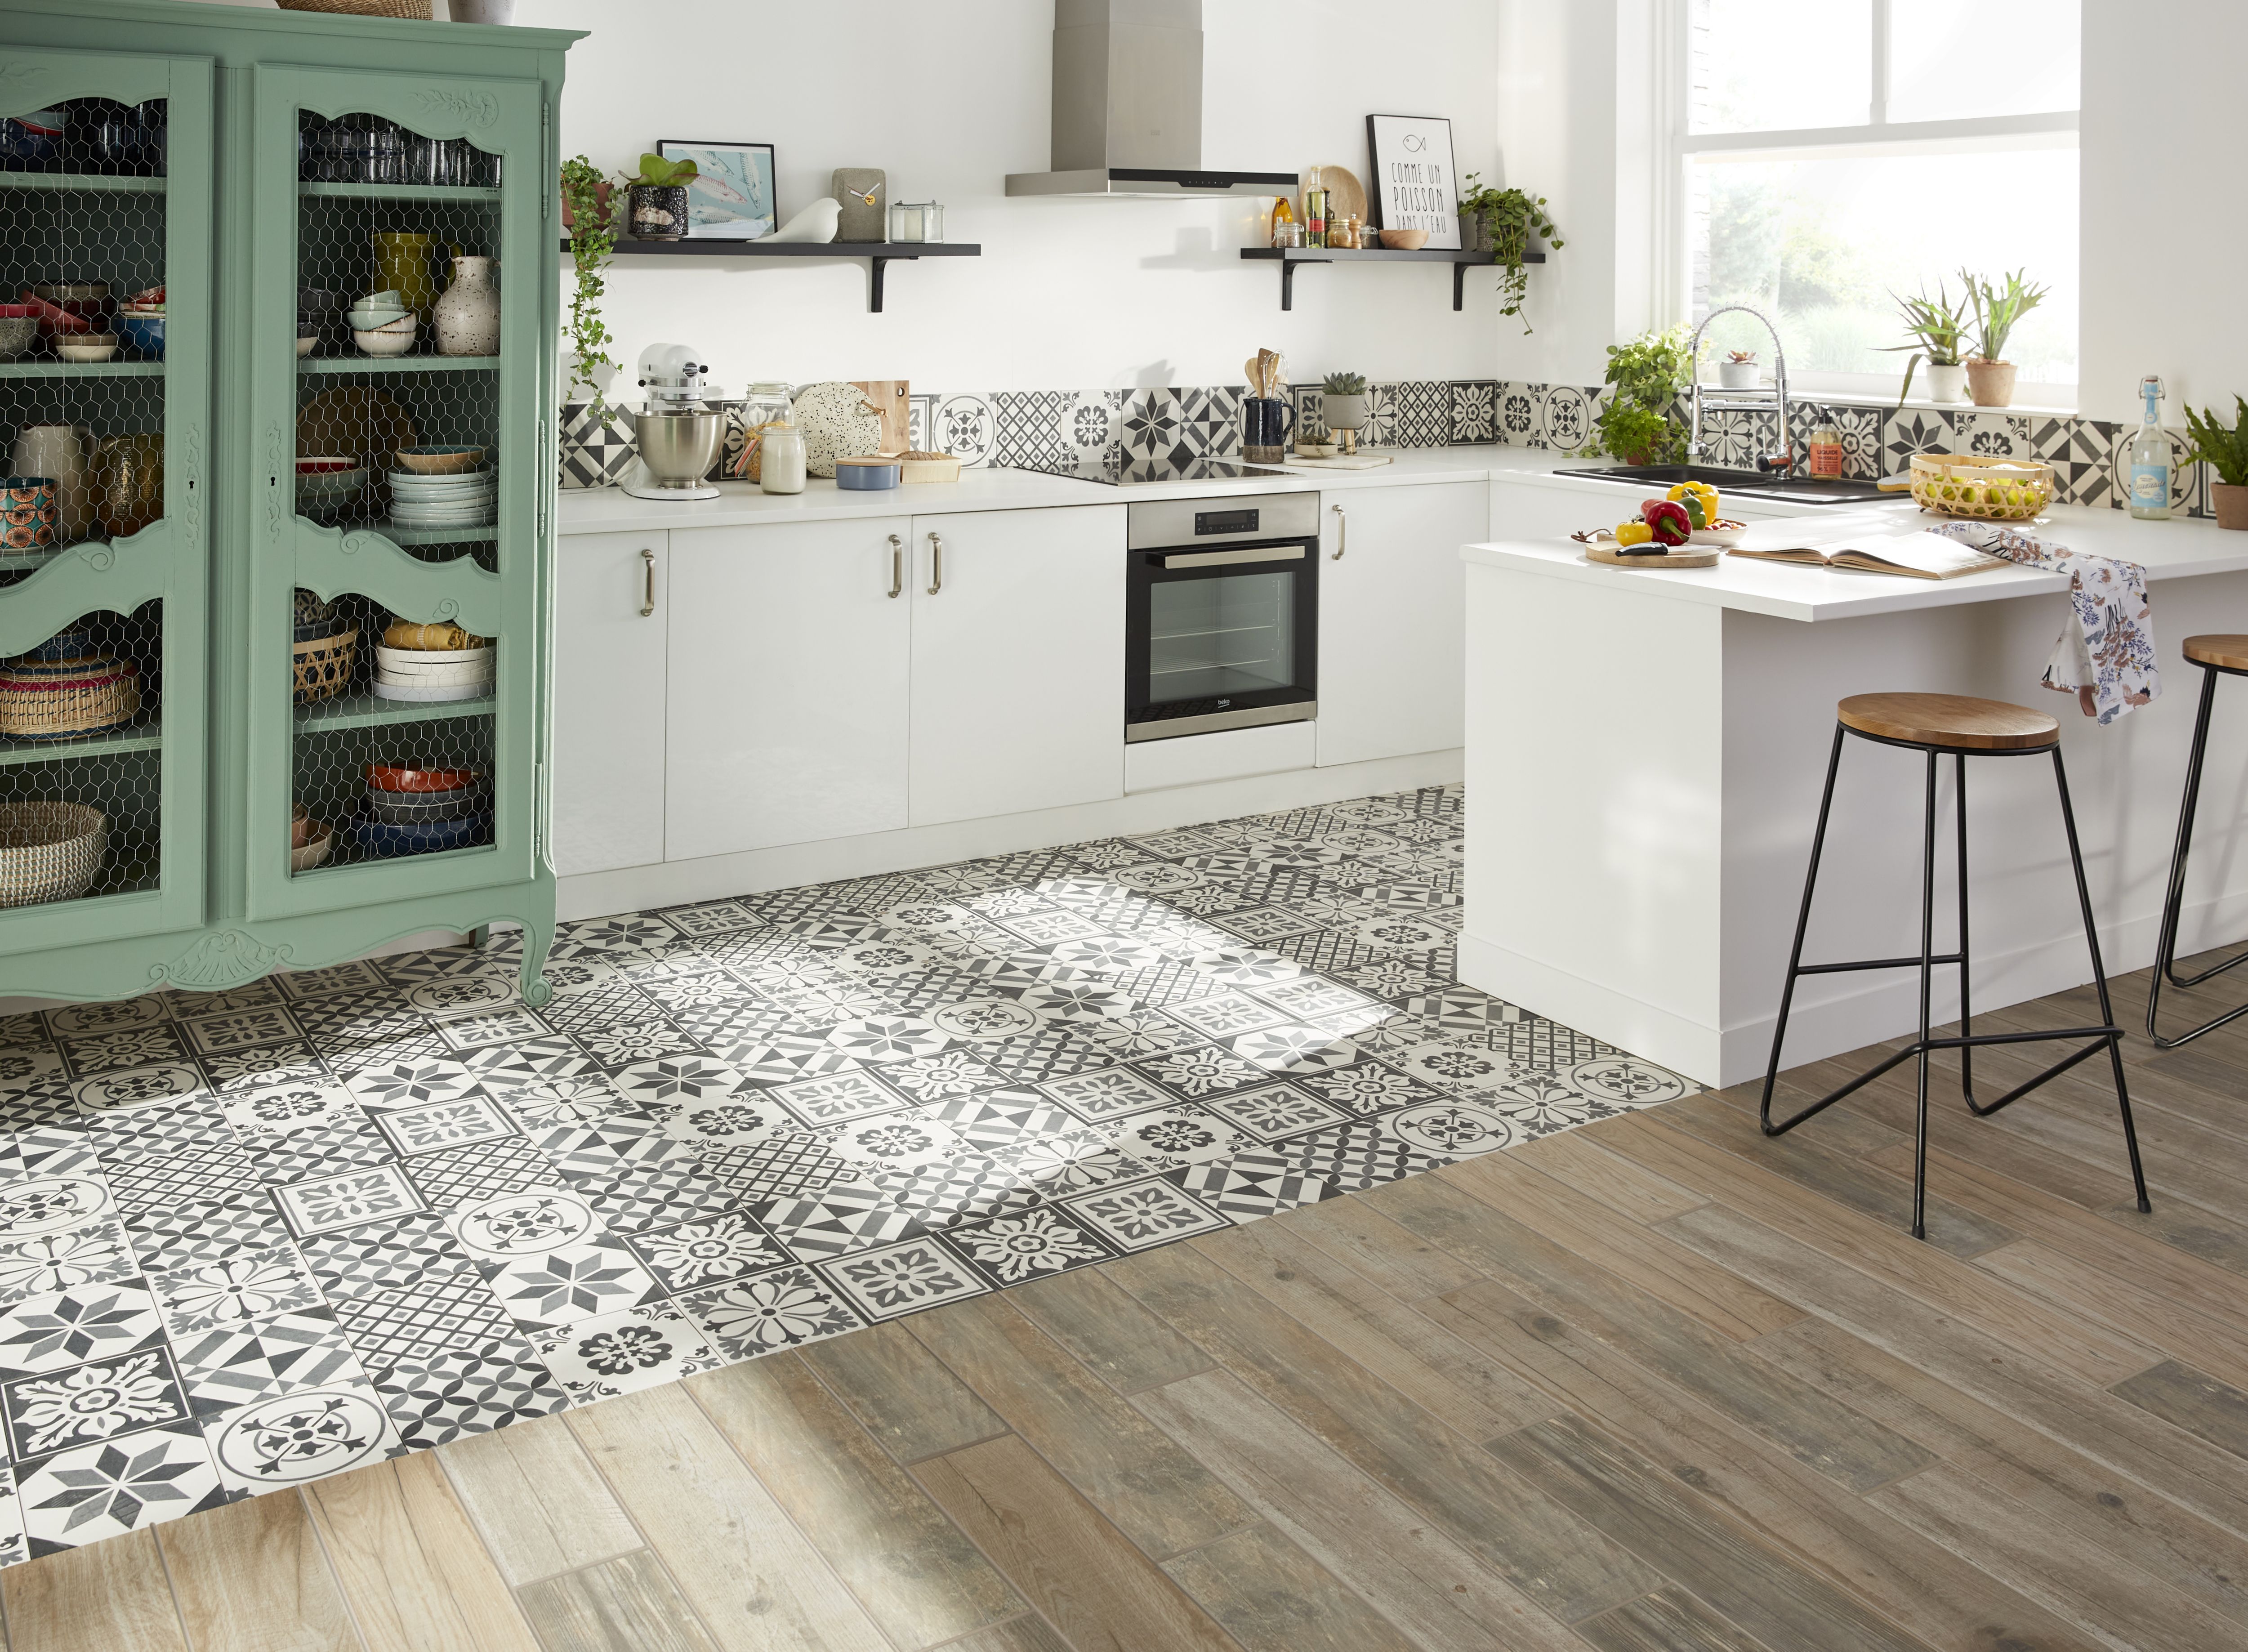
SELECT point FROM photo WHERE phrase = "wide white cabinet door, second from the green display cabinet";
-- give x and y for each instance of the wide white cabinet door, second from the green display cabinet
(788, 684)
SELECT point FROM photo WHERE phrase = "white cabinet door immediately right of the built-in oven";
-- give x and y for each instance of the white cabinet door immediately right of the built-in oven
(1390, 619)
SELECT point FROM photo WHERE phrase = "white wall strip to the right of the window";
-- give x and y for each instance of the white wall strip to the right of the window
(2164, 230)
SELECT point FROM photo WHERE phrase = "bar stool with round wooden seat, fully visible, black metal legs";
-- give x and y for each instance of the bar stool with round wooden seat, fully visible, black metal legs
(1957, 727)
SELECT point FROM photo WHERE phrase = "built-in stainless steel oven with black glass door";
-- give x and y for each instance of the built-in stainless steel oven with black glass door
(1222, 624)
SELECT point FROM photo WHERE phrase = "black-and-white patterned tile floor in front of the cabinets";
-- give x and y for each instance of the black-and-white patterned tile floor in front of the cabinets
(271, 1235)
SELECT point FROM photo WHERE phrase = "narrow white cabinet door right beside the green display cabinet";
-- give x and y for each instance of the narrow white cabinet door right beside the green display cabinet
(608, 702)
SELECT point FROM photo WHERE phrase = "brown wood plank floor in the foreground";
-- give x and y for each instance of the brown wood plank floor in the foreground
(1651, 1386)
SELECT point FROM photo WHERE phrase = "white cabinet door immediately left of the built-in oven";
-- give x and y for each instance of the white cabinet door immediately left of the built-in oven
(1017, 662)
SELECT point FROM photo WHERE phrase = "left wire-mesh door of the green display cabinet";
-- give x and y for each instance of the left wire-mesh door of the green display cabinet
(105, 370)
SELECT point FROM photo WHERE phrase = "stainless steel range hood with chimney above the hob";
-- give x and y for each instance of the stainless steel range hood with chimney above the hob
(1130, 107)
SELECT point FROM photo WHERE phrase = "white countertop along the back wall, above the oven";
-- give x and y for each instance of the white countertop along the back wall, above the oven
(995, 489)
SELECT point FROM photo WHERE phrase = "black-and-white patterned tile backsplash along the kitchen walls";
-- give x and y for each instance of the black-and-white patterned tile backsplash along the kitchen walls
(1010, 428)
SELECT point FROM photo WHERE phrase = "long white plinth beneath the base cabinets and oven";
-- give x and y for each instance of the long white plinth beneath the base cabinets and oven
(714, 878)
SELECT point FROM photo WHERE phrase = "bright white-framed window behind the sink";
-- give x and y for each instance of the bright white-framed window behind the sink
(1833, 156)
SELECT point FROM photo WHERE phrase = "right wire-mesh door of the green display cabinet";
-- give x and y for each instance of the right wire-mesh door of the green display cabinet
(397, 577)
